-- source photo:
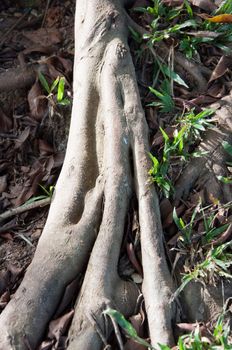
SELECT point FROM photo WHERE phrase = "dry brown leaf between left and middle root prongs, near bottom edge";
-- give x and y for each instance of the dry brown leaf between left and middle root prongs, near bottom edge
(59, 326)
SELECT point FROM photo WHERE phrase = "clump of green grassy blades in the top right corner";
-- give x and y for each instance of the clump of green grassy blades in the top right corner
(164, 25)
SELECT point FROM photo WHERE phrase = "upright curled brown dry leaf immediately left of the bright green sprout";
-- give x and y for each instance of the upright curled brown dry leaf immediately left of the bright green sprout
(37, 102)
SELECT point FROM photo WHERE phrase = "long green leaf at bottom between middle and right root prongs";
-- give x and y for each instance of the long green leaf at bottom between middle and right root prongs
(127, 326)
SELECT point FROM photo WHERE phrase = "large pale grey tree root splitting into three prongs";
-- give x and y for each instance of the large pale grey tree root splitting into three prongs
(106, 160)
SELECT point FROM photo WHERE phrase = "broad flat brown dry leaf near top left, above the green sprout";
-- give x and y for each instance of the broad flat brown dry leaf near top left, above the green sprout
(44, 36)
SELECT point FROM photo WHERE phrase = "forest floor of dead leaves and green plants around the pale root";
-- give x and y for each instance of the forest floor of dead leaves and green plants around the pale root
(182, 56)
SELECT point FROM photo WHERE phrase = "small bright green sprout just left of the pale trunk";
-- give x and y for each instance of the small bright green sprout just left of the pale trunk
(57, 87)
